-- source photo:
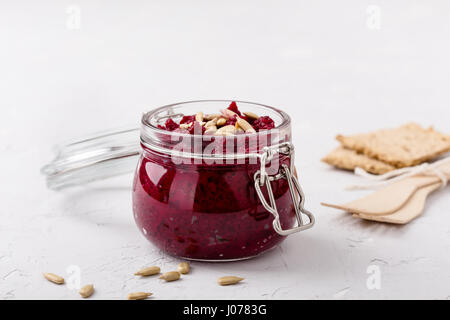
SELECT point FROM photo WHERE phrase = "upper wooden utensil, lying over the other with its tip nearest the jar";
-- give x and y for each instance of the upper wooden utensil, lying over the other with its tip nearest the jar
(389, 199)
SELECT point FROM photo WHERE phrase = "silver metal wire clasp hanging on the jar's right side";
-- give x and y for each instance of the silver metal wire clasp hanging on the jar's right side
(298, 198)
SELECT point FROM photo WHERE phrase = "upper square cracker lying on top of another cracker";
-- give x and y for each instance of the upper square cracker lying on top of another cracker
(406, 146)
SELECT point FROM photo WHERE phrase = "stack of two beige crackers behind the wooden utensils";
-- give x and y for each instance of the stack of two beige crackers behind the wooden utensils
(385, 150)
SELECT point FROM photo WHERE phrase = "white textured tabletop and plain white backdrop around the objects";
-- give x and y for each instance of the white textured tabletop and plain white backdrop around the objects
(327, 63)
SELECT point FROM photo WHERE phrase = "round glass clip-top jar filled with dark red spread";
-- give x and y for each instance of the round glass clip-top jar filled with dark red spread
(195, 194)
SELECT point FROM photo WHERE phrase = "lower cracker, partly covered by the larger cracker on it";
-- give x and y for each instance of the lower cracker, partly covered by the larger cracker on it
(349, 160)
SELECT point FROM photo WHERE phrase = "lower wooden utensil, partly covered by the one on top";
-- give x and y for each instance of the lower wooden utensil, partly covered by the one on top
(408, 212)
